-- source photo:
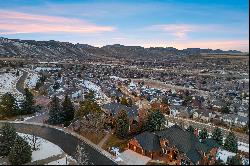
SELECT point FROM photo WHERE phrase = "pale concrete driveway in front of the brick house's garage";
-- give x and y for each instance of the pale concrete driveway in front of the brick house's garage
(130, 157)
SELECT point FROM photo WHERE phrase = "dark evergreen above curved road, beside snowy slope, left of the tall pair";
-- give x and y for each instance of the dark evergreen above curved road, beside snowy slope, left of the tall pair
(27, 106)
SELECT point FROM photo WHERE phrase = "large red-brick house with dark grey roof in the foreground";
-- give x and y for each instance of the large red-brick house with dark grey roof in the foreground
(175, 146)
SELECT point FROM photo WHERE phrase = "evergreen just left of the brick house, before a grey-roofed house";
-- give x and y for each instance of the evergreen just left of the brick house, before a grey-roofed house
(122, 124)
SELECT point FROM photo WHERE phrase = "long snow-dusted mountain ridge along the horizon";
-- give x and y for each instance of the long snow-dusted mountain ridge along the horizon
(59, 50)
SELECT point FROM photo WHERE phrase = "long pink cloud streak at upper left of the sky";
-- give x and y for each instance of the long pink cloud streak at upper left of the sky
(16, 22)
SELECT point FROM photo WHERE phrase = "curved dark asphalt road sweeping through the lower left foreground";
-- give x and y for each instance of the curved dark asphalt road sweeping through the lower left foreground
(66, 140)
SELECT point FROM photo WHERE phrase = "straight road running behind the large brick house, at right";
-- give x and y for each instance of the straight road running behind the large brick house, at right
(210, 127)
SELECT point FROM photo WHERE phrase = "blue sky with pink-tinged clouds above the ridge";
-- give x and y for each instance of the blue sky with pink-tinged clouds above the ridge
(215, 24)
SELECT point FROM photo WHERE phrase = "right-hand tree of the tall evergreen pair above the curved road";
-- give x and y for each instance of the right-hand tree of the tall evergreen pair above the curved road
(67, 110)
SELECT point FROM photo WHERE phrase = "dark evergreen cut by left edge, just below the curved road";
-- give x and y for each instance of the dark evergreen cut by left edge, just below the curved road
(7, 137)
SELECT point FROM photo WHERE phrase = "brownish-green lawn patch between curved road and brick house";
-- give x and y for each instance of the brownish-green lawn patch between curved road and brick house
(114, 141)
